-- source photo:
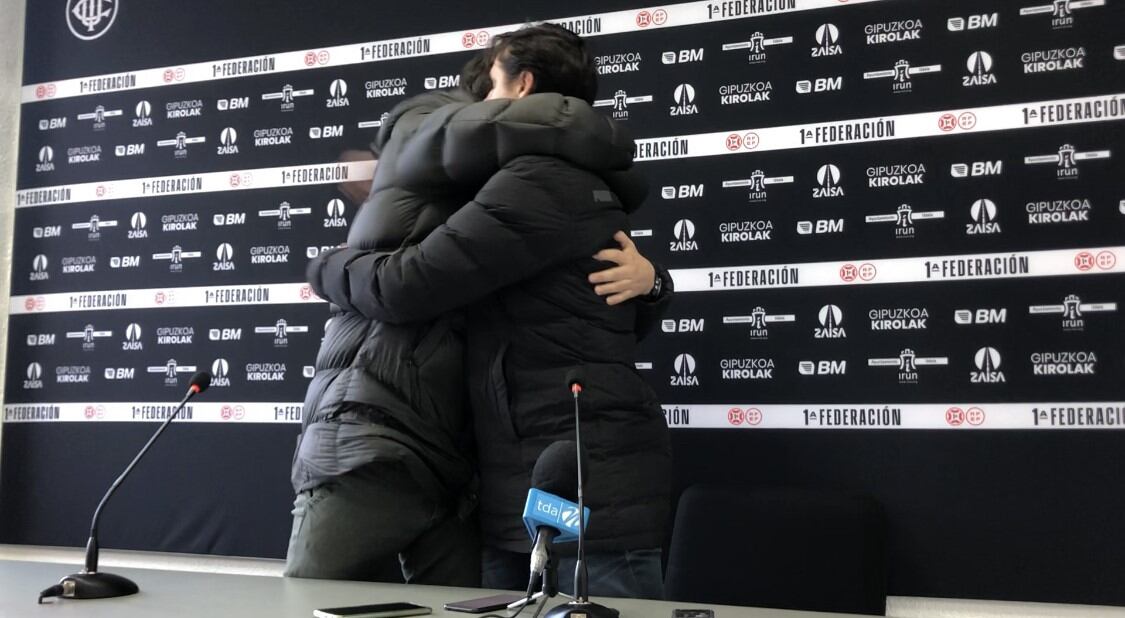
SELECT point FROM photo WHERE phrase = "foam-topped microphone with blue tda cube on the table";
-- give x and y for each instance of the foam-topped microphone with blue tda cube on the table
(551, 514)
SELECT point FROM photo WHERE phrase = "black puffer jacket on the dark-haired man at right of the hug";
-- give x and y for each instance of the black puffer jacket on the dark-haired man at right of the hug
(555, 190)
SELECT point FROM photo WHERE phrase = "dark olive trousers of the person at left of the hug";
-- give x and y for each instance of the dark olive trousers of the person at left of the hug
(356, 526)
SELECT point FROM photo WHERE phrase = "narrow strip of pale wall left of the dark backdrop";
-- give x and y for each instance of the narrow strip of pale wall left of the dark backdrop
(12, 70)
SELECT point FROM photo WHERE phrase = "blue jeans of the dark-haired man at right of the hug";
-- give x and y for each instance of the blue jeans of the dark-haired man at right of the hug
(631, 575)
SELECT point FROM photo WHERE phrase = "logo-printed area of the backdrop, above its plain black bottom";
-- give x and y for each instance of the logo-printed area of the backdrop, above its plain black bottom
(878, 214)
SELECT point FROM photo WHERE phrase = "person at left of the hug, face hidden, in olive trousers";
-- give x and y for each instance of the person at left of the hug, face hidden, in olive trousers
(383, 469)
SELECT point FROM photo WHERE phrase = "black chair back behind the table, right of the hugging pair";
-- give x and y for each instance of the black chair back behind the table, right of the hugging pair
(809, 550)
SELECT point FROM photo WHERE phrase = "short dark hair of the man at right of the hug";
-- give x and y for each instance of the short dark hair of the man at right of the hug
(554, 56)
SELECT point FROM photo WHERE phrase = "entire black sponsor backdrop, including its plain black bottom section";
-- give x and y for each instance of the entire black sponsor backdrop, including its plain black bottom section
(896, 229)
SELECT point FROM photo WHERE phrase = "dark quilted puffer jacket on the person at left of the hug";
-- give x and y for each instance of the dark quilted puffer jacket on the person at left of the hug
(386, 391)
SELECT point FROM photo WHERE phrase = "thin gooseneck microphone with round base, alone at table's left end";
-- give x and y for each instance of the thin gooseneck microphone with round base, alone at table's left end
(89, 584)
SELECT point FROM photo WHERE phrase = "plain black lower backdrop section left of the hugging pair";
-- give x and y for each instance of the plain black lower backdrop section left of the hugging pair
(190, 495)
